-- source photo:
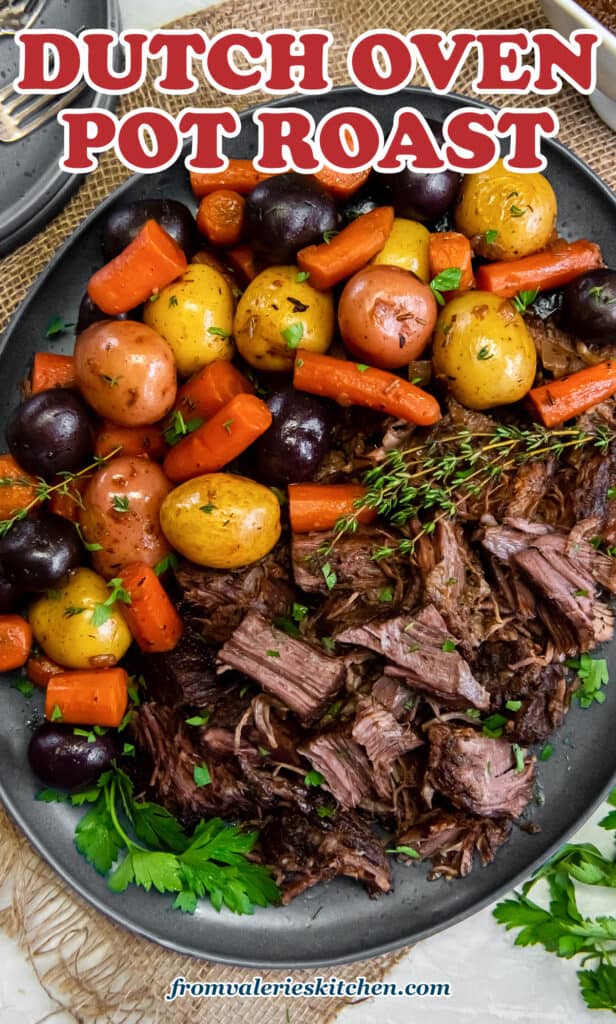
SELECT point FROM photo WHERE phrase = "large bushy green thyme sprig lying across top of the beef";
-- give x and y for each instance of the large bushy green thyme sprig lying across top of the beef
(433, 480)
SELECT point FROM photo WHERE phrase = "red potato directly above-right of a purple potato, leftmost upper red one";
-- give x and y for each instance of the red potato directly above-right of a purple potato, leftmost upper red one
(126, 372)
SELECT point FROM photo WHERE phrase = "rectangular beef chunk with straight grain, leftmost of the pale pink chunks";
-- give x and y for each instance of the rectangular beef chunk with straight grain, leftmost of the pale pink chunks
(301, 676)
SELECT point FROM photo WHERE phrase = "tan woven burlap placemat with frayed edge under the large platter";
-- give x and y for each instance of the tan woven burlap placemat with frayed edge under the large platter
(91, 967)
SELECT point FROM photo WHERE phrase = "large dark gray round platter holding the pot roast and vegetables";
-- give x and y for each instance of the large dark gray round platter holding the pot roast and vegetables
(334, 923)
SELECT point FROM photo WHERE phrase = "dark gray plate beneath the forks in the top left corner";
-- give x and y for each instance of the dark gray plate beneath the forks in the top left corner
(33, 189)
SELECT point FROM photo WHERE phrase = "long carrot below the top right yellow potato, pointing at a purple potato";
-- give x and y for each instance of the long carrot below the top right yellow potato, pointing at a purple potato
(551, 269)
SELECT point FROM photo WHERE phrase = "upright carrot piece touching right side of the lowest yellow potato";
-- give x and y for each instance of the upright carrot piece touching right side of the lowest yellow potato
(151, 617)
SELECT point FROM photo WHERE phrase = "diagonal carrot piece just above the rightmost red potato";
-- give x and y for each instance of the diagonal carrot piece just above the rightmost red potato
(349, 251)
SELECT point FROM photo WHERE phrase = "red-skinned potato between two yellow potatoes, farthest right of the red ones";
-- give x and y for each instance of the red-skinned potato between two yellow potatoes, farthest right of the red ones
(386, 316)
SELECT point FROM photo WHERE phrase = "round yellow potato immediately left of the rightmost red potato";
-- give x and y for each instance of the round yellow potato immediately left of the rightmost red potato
(278, 315)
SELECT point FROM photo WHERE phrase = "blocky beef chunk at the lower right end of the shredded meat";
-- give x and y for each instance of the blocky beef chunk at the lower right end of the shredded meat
(478, 775)
